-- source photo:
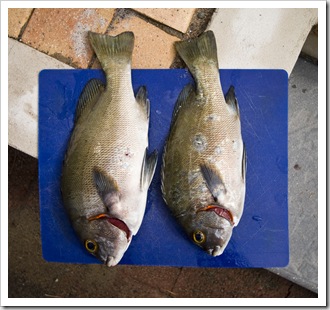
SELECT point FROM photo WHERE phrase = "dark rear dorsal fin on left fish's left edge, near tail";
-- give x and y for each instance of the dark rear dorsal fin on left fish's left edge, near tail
(89, 97)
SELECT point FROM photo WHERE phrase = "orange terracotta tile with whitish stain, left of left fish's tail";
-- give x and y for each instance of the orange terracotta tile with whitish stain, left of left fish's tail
(61, 33)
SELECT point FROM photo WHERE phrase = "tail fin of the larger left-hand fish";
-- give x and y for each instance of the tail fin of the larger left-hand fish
(109, 48)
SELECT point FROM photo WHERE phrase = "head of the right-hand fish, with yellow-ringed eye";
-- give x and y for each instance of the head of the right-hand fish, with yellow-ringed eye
(209, 229)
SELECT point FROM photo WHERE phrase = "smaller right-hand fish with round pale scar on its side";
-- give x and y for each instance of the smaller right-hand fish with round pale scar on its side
(203, 173)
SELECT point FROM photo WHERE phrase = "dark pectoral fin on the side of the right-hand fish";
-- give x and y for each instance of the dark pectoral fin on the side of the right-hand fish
(213, 181)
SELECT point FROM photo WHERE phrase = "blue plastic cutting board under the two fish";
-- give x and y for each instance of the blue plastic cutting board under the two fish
(260, 239)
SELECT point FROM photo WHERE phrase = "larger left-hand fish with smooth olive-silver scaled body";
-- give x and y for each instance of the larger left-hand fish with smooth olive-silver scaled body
(107, 169)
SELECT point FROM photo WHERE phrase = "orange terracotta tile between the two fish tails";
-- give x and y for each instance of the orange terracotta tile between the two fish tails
(153, 47)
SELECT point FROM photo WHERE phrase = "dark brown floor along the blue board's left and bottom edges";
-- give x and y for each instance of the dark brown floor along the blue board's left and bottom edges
(32, 277)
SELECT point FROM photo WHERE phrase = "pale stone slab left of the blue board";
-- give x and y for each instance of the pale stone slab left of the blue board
(25, 63)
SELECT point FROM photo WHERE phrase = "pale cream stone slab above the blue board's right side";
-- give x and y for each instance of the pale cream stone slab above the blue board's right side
(259, 38)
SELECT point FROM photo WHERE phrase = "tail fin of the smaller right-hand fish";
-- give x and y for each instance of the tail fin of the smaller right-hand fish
(201, 49)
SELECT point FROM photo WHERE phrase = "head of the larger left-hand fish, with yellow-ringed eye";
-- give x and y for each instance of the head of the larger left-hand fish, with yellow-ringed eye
(103, 239)
